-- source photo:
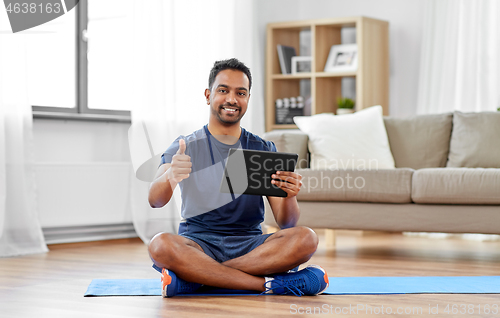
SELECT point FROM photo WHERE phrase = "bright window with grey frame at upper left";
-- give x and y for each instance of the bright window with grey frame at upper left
(78, 63)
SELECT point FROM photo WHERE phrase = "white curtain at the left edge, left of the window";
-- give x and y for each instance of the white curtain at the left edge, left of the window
(20, 231)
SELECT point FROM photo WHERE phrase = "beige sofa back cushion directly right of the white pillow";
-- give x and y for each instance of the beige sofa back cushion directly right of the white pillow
(419, 141)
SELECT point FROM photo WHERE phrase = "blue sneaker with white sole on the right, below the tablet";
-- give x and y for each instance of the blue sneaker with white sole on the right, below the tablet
(311, 280)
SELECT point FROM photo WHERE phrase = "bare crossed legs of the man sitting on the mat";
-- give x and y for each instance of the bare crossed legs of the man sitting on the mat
(282, 251)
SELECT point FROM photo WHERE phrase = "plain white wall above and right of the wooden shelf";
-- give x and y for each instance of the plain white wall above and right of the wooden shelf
(405, 24)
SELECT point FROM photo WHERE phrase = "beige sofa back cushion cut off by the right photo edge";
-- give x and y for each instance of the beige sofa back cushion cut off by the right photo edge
(475, 140)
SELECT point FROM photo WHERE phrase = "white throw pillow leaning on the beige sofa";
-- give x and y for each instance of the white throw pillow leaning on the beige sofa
(348, 141)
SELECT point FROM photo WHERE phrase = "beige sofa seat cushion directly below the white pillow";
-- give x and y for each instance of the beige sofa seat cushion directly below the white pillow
(387, 186)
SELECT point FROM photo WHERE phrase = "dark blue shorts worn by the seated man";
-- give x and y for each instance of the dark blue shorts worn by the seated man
(224, 248)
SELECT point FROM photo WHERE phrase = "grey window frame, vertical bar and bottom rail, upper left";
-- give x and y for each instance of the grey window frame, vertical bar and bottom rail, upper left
(81, 111)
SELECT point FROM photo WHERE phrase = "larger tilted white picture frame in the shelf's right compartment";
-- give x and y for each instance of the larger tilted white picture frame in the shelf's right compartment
(342, 58)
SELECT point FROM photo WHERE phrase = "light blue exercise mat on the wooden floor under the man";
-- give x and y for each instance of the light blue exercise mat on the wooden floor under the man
(338, 286)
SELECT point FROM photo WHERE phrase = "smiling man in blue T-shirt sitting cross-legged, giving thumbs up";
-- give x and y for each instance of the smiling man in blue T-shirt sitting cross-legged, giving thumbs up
(223, 246)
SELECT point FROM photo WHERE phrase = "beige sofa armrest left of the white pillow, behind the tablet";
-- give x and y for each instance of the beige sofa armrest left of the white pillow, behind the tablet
(293, 141)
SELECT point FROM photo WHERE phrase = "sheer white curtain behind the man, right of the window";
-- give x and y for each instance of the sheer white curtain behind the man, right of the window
(174, 45)
